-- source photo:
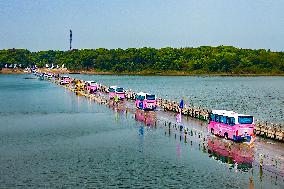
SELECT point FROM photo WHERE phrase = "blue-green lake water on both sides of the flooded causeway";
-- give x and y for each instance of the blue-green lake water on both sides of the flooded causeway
(51, 138)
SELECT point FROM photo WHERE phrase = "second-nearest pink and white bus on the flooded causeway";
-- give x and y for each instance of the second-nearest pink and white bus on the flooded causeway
(145, 101)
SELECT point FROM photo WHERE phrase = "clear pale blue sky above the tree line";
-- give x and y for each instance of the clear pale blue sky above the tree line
(44, 24)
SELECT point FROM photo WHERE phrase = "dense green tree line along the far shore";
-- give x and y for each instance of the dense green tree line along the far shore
(200, 60)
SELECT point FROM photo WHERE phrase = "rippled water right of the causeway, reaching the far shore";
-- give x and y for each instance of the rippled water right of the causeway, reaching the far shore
(262, 97)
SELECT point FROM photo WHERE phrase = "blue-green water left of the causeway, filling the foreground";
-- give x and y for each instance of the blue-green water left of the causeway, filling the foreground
(50, 137)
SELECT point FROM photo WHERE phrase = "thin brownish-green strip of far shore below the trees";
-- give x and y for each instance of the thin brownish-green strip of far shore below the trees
(143, 73)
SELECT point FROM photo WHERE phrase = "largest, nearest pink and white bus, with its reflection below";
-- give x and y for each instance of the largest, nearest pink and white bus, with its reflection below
(231, 125)
